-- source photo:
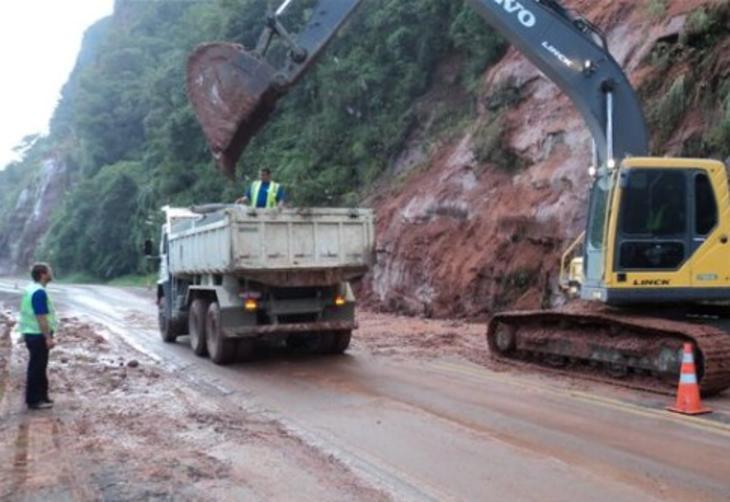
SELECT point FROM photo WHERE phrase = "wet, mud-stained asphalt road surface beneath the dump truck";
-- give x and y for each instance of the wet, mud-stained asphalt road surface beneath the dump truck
(438, 429)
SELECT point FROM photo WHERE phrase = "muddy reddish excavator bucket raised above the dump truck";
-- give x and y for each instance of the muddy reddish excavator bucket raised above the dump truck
(233, 93)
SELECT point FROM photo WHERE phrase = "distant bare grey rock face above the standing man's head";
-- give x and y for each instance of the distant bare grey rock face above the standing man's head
(30, 218)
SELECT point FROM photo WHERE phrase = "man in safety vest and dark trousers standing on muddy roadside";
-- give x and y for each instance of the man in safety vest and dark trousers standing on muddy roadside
(37, 325)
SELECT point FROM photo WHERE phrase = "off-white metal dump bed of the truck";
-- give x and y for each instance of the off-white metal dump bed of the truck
(288, 246)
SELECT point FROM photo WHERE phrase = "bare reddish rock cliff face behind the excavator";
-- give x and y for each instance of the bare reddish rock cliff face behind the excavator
(466, 237)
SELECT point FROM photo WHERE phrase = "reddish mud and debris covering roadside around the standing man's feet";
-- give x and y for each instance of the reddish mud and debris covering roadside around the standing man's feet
(125, 428)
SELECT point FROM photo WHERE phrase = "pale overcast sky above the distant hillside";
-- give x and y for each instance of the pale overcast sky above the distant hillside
(39, 41)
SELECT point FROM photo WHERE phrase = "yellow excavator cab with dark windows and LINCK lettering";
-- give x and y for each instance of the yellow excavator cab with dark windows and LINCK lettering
(658, 232)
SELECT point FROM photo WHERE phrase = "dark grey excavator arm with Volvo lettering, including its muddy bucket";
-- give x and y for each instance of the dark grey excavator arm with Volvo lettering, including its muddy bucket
(234, 91)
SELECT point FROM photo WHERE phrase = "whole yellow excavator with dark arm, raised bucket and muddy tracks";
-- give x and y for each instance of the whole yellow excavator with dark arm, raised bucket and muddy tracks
(652, 270)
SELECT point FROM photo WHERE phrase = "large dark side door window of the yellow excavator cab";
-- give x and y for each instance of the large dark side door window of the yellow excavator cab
(653, 233)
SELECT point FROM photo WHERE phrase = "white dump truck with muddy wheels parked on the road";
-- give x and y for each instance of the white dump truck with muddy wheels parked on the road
(231, 276)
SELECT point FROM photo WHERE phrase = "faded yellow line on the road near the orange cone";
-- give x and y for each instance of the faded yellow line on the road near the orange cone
(584, 397)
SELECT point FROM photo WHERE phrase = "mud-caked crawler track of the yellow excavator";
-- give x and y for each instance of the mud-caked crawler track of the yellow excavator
(621, 348)
